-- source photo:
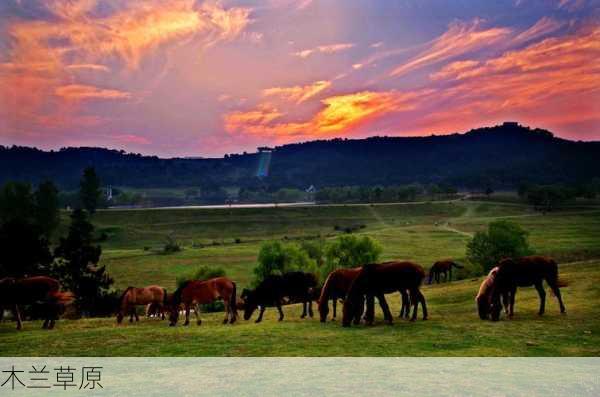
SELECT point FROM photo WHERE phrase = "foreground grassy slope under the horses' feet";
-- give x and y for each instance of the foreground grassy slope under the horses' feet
(452, 330)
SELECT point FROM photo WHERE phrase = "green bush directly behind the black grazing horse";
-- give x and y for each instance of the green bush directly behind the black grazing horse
(277, 258)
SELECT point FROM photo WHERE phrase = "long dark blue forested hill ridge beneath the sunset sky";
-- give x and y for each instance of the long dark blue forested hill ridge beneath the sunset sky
(502, 156)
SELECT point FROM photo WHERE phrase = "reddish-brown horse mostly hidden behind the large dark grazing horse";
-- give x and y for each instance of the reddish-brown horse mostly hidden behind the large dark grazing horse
(336, 287)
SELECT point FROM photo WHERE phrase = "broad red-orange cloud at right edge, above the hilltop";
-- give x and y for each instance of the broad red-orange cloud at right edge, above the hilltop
(562, 74)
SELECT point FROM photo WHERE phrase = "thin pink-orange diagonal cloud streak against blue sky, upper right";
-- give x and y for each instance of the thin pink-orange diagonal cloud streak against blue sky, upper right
(459, 39)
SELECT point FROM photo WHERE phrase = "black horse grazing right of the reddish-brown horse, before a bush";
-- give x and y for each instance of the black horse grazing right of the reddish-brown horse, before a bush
(297, 286)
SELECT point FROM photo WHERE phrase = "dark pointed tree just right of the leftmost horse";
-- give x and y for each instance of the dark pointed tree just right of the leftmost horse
(77, 262)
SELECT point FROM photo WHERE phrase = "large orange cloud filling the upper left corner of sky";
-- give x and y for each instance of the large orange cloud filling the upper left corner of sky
(45, 55)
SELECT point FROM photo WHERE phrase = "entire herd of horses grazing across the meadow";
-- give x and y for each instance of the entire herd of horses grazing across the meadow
(356, 287)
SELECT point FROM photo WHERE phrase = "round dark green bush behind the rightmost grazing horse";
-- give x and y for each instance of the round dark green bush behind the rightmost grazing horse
(503, 239)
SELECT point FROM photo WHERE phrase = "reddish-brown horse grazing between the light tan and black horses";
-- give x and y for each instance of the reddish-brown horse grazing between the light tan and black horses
(197, 292)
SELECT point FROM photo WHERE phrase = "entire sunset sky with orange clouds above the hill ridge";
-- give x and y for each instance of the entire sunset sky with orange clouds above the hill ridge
(205, 78)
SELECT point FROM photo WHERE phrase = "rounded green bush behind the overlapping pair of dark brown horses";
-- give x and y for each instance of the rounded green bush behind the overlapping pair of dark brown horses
(350, 251)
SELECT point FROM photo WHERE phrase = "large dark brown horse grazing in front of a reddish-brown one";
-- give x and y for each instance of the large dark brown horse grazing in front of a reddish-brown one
(376, 280)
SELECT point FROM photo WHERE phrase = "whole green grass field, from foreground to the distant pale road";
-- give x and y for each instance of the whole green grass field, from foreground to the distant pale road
(420, 232)
